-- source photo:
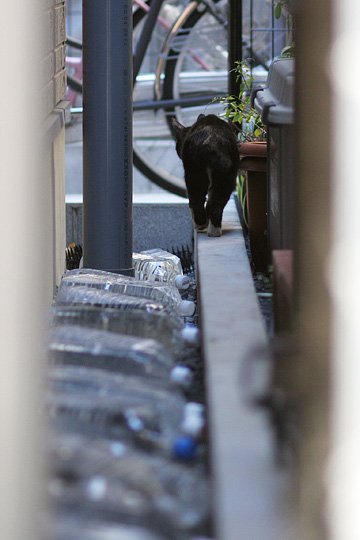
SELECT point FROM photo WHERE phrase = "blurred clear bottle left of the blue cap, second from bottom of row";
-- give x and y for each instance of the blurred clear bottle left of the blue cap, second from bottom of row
(113, 405)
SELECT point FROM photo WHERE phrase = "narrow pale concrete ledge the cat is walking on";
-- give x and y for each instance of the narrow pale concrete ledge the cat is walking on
(251, 496)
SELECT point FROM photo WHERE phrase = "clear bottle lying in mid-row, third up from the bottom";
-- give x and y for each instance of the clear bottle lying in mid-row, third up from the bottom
(76, 345)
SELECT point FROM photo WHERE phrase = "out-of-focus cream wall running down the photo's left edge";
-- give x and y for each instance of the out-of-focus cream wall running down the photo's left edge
(30, 234)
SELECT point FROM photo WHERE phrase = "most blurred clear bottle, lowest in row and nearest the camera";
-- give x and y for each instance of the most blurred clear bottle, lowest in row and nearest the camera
(109, 477)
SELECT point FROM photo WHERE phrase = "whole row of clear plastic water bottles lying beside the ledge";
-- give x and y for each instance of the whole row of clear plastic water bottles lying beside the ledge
(126, 444)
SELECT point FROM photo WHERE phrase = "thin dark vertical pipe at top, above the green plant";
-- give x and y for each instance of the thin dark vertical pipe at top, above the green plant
(234, 43)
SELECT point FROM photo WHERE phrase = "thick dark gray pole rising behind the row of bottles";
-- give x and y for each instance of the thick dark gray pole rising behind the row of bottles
(107, 134)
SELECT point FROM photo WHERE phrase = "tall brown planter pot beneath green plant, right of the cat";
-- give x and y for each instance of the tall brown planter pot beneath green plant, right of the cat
(253, 162)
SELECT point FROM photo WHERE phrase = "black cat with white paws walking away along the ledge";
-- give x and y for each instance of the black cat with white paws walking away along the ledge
(208, 150)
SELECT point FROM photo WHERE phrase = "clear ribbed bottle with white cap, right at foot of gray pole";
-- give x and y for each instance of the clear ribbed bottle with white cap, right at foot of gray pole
(158, 291)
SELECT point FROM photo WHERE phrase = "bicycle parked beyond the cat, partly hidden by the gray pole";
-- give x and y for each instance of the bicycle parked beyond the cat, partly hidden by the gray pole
(180, 65)
